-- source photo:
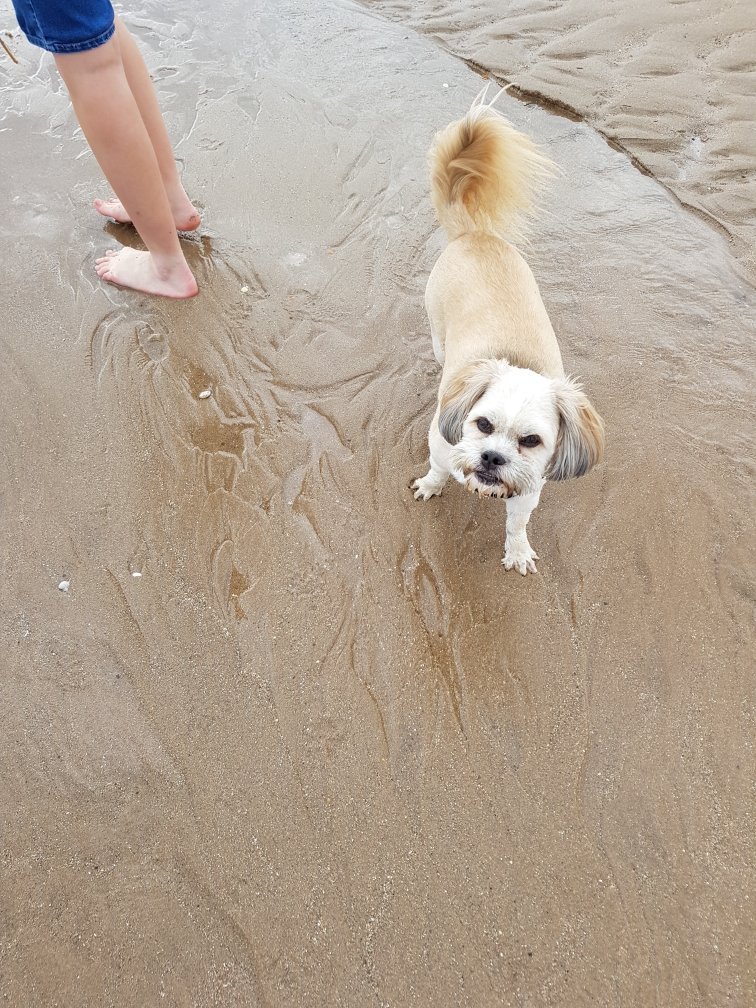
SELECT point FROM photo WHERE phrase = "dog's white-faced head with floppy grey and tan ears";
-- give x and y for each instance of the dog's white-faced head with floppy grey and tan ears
(513, 428)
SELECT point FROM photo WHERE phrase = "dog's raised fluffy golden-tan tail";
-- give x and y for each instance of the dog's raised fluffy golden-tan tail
(485, 175)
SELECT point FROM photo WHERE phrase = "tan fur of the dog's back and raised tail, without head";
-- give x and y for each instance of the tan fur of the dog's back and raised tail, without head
(482, 299)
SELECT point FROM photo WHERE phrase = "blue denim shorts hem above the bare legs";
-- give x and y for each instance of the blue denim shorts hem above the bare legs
(59, 27)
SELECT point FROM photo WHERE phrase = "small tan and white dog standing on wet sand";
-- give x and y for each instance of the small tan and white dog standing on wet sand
(509, 419)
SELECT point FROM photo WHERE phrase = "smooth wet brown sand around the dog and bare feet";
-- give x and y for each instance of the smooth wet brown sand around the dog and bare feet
(293, 738)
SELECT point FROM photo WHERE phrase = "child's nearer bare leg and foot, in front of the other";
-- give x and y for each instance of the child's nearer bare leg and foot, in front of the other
(111, 120)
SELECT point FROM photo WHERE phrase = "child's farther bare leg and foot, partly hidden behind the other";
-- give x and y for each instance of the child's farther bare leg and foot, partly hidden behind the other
(185, 215)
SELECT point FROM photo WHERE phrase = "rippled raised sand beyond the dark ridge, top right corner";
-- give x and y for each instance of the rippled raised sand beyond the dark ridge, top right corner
(671, 82)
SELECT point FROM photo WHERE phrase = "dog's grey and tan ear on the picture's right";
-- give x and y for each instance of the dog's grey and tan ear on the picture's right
(580, 443)
